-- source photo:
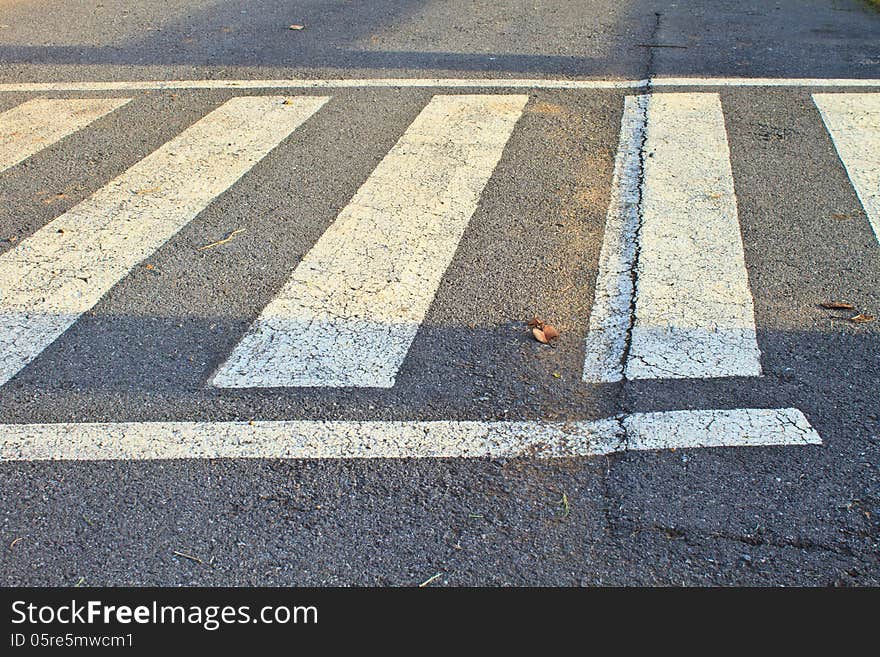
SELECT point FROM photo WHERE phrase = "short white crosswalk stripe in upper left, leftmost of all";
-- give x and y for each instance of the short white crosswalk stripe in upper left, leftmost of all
(36, 124)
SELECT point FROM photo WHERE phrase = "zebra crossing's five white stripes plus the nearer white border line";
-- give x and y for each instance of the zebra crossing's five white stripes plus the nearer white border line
(672, 298)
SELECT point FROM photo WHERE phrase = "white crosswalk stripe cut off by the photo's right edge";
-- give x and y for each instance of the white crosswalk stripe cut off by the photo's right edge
(853, 121)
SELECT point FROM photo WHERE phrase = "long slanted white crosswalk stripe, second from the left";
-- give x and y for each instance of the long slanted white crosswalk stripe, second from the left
(49, 279)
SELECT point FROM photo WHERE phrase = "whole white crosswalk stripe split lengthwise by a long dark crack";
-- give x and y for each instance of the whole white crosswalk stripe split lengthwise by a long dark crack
(686, 309)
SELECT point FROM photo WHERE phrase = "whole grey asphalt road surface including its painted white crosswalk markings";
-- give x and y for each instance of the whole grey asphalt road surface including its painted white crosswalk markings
(264, 293)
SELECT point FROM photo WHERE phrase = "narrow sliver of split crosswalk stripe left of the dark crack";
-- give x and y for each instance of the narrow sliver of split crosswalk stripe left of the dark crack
(610, 317)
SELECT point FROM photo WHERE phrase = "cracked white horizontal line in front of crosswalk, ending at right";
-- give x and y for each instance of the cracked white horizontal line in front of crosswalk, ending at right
(316, 439)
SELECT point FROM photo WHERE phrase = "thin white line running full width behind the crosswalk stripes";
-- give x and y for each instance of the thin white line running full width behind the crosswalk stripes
(468, 83)
